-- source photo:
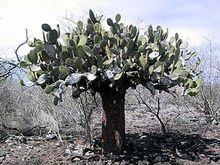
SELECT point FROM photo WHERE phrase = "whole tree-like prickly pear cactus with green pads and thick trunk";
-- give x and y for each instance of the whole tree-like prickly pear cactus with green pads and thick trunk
(109, 62)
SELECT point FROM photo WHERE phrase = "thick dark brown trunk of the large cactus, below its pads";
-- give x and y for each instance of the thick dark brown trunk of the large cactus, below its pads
(113, 121)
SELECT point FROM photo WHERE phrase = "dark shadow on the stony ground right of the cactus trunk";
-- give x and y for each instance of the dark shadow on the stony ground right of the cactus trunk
(155, 147)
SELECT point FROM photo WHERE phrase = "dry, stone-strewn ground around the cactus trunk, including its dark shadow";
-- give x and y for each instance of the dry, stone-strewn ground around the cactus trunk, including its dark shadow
(190, 140)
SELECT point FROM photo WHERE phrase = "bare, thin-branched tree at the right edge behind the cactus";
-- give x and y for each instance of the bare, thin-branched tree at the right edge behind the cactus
(208, 99)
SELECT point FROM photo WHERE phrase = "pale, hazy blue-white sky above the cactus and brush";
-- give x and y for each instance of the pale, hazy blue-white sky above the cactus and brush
(193, 20)
